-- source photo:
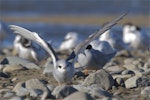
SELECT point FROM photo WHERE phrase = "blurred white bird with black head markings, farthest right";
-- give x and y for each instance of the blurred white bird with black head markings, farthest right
(134, 37)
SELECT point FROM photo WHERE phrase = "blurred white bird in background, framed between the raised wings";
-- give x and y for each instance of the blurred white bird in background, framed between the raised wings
(70, 41)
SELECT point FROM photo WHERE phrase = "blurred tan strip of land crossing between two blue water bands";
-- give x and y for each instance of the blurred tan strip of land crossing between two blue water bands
(141, 20)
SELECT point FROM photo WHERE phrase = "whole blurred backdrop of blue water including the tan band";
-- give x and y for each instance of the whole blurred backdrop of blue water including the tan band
(52, 19)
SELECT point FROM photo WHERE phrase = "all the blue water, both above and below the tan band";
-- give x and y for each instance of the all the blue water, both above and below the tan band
(56, 32)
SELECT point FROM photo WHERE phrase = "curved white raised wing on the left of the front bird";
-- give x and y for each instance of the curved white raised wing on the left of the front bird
(36, 38)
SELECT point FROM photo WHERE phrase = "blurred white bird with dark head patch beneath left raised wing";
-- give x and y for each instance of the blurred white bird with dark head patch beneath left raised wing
(24, 48)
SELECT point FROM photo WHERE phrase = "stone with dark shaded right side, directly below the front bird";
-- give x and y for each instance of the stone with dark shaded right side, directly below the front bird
(63, 91)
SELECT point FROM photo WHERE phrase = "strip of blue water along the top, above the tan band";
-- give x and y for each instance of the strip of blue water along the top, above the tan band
(73, 7)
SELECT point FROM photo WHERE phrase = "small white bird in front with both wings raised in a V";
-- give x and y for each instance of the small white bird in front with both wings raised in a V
(63, 70)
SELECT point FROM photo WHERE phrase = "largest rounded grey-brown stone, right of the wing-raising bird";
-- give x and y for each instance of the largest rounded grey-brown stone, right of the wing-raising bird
(100, 77)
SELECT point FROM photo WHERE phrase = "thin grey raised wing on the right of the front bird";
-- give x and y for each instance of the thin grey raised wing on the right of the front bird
(85, 43)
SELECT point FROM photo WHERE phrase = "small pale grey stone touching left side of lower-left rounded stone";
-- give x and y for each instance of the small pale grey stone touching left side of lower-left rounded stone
(20, 89)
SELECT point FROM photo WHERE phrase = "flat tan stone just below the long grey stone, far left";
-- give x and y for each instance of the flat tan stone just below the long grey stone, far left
(10, 68)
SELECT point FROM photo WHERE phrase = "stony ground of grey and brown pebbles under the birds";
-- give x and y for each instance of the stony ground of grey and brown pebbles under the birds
(127, 76)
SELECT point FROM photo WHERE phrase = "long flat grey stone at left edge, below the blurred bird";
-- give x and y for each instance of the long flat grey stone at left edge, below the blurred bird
(13, 60)
